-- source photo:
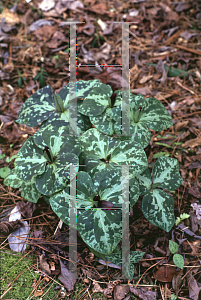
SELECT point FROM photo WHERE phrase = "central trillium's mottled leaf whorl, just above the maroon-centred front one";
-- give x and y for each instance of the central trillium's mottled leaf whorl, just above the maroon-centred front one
(97, 146)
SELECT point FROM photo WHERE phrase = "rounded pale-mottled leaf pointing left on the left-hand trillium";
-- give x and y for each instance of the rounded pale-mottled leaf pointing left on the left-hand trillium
(29, 165)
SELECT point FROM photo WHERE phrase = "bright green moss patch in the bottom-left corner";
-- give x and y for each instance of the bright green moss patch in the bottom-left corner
(20, 289)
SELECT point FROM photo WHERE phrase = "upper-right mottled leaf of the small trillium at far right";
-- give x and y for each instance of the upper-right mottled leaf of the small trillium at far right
(166, 171)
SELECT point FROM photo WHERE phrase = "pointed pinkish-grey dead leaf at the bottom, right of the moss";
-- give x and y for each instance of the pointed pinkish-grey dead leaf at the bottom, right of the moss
(67, 278)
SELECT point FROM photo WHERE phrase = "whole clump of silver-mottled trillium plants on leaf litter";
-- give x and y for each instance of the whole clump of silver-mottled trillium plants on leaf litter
(98, 150)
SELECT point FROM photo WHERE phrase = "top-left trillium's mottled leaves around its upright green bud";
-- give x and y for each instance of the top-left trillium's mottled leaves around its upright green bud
(41, 106)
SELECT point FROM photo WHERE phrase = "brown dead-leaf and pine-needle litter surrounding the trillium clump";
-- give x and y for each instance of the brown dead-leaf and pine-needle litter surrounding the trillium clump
(165, 62)
